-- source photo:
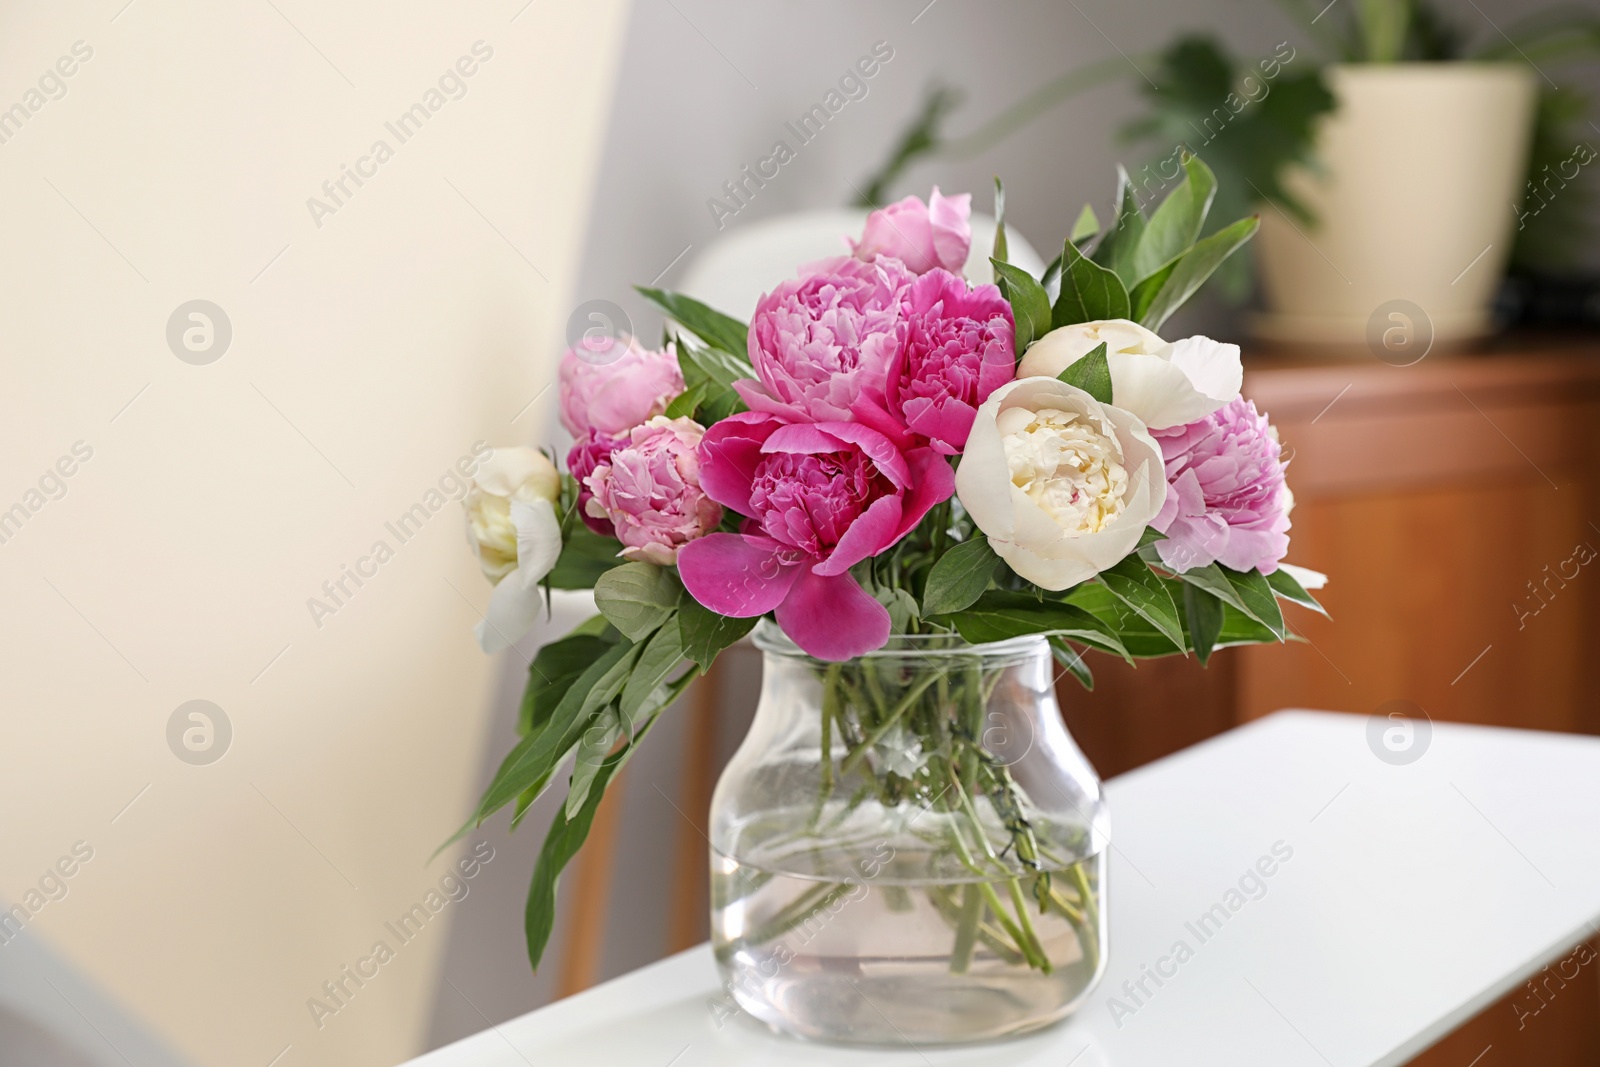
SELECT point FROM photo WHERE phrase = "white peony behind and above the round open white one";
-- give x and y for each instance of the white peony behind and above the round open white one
(1164, 385)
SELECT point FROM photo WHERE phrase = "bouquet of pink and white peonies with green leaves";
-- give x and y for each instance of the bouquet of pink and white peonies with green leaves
(887, 449)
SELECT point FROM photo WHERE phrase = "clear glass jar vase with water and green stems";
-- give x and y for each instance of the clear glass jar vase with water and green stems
(910, 849)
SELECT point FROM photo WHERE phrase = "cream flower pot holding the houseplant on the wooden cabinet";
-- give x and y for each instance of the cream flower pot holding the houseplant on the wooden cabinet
(1423, 172)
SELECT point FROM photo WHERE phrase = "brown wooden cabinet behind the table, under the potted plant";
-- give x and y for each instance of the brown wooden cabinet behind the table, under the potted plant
(1457, 508)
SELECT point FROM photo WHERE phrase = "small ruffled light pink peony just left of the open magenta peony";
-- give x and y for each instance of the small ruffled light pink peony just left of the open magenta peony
(652, 494)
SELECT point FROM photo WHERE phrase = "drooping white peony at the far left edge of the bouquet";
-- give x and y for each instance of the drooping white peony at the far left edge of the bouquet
(516, 535)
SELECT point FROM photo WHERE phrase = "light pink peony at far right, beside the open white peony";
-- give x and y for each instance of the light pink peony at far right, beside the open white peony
(1228, 502)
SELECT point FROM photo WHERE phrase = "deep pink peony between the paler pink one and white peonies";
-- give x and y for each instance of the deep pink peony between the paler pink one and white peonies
(959, 348)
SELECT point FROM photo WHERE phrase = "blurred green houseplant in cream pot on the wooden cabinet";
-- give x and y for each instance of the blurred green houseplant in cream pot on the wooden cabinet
(1396, 166)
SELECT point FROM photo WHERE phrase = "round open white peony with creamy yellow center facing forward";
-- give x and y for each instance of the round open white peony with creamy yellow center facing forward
(1062, 484)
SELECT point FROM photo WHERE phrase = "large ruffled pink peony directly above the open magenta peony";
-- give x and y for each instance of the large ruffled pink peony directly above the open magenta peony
(820, 340)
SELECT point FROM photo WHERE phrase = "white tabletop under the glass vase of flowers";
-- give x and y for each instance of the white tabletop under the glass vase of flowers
(1415, 898)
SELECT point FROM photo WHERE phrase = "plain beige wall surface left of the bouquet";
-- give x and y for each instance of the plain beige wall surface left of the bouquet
(367, 354)
